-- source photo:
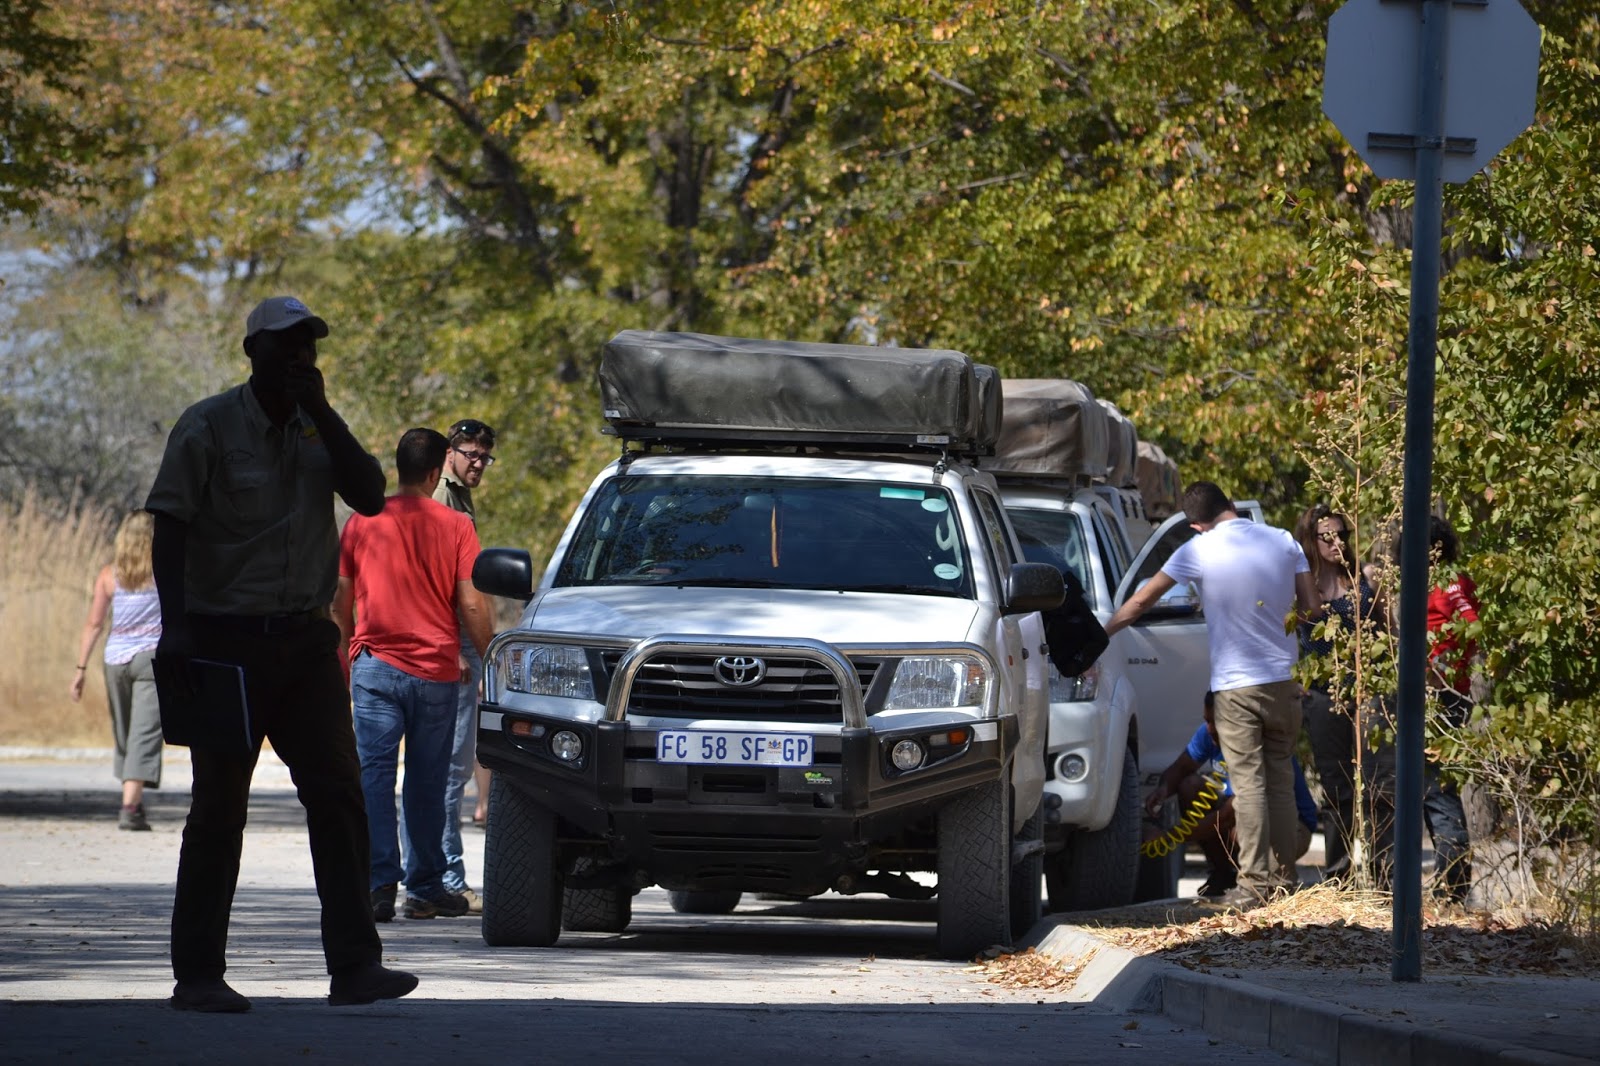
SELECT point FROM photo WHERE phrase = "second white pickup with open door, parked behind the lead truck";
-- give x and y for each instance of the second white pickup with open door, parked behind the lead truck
(1070, 486)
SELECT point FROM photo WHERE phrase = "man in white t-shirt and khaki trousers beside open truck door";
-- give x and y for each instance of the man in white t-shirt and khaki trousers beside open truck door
(1255, 585)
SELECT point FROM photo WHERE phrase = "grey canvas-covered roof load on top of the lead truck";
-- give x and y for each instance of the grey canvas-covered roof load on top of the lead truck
(695, 387)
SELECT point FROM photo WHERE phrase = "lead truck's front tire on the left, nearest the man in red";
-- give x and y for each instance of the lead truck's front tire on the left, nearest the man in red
(522, 878)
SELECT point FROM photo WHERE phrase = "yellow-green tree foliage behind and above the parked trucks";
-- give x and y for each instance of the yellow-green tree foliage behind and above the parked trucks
(1143, 196)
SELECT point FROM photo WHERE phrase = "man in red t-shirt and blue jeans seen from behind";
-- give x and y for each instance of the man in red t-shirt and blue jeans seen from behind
(406, 577)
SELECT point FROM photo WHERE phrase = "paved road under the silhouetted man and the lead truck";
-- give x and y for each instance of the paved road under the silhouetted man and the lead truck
(84, 913)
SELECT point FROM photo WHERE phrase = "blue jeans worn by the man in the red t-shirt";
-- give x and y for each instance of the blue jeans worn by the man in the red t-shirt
(390, 705)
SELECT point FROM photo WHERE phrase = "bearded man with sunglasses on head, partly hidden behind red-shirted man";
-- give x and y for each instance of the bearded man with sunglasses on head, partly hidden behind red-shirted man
(471, 454)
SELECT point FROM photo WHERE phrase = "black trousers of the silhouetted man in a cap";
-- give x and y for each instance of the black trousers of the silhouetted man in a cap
(302, 703)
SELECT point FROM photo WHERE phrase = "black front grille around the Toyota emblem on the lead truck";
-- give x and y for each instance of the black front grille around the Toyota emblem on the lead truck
(687, 687)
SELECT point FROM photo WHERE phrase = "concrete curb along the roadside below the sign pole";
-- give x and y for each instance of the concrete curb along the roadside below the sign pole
(1234, 1009)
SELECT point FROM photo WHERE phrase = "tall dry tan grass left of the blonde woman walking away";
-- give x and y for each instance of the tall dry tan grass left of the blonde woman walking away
(47, 574)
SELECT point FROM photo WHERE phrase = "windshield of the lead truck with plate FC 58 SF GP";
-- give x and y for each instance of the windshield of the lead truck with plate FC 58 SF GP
(766, 532)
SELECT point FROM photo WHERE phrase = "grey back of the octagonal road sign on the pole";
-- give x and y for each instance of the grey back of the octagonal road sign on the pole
(1370, 82)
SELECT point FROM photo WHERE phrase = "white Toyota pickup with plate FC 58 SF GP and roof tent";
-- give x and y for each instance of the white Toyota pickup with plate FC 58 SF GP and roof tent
(788, 644)
